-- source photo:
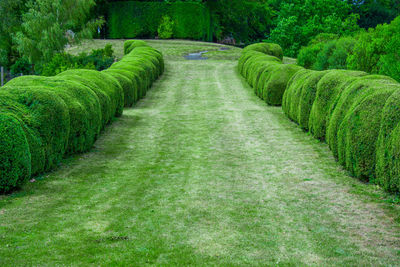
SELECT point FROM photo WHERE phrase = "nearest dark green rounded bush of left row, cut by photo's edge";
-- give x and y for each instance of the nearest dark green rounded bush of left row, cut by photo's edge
(15, 158)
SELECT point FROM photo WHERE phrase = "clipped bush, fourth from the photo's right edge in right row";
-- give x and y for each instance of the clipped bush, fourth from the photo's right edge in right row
(328, 88)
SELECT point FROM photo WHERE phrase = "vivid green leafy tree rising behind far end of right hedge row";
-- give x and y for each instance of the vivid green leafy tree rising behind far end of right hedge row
(299, 21)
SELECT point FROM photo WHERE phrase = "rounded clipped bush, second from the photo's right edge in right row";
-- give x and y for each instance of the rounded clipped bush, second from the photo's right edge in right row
(359, 131)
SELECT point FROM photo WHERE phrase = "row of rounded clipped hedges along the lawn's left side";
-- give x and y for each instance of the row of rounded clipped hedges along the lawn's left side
(42, 119)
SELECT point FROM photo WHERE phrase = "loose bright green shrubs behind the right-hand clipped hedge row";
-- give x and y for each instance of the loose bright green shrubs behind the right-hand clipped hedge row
(373, 51)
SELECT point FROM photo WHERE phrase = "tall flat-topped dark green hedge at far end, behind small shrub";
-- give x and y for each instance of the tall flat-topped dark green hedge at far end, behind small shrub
(134, 19)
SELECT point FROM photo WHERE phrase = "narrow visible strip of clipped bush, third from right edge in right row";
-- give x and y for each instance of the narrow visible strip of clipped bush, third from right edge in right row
(355, 90)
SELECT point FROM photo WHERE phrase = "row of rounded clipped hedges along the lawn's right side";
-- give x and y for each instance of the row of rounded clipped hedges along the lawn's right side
(357, 114)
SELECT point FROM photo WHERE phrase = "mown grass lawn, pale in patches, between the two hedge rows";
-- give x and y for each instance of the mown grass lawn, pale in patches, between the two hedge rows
(200, 172)
